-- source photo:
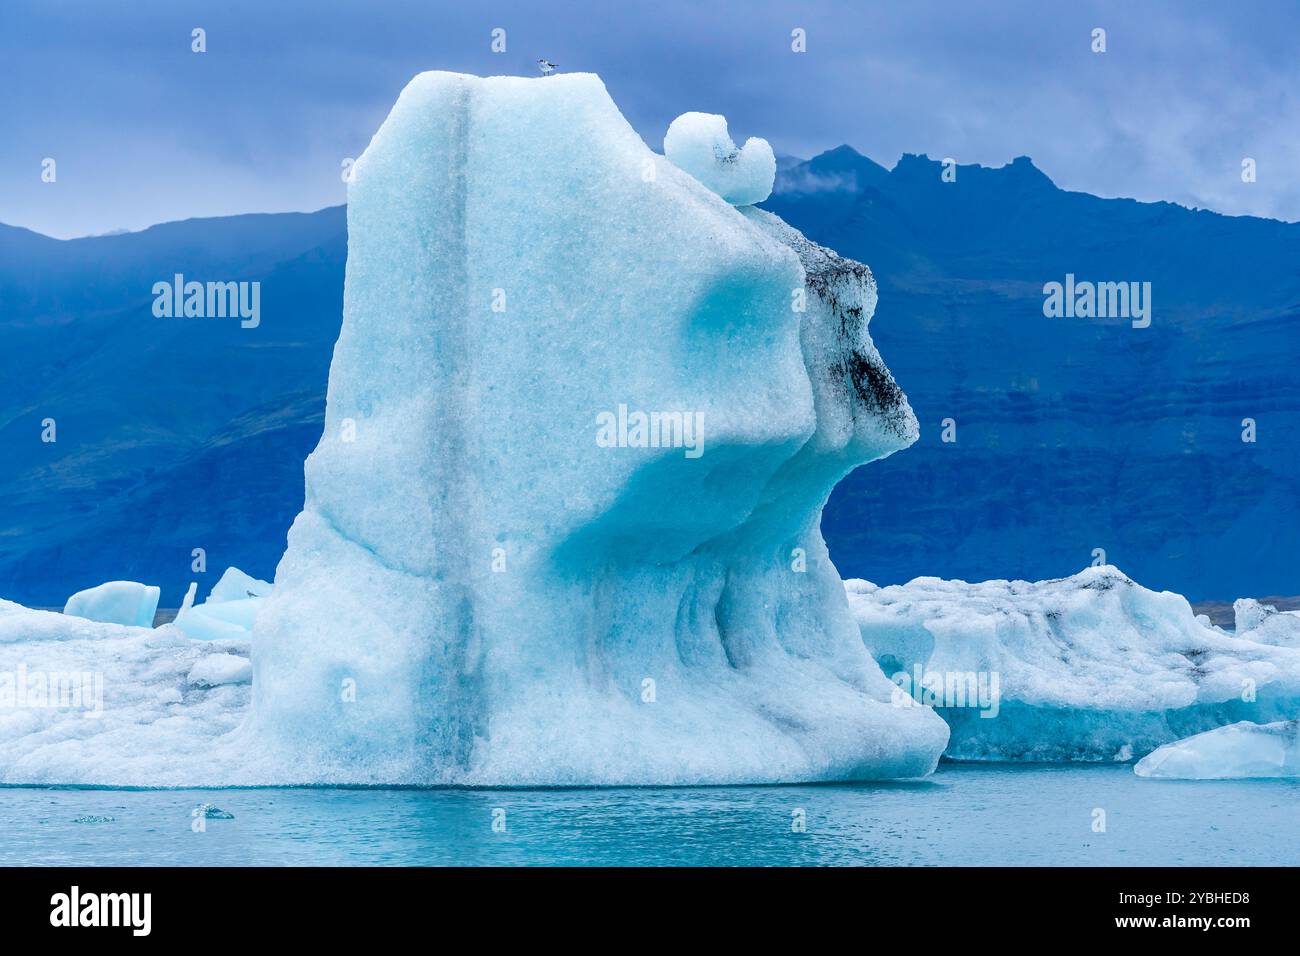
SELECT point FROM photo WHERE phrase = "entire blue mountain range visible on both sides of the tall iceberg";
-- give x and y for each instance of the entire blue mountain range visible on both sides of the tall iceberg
(1072, 434)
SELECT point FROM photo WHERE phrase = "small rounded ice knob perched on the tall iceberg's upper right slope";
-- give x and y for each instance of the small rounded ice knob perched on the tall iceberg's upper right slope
(700, 144)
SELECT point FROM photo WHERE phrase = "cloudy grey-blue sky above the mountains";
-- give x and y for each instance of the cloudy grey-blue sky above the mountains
(144, 131)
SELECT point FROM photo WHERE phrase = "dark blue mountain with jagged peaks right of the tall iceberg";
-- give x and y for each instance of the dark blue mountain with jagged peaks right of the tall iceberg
(1072, 434)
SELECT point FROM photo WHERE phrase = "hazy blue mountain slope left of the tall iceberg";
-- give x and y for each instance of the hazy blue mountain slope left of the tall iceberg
(172, 434)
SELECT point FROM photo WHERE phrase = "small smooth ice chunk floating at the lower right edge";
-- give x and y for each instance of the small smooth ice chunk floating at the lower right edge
(1238, 751)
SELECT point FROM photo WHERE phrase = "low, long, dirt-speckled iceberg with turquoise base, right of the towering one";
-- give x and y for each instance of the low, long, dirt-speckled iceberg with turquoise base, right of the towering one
(1086, 668)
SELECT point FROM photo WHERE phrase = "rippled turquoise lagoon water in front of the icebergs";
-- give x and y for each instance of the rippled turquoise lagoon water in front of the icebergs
(965, 815)
